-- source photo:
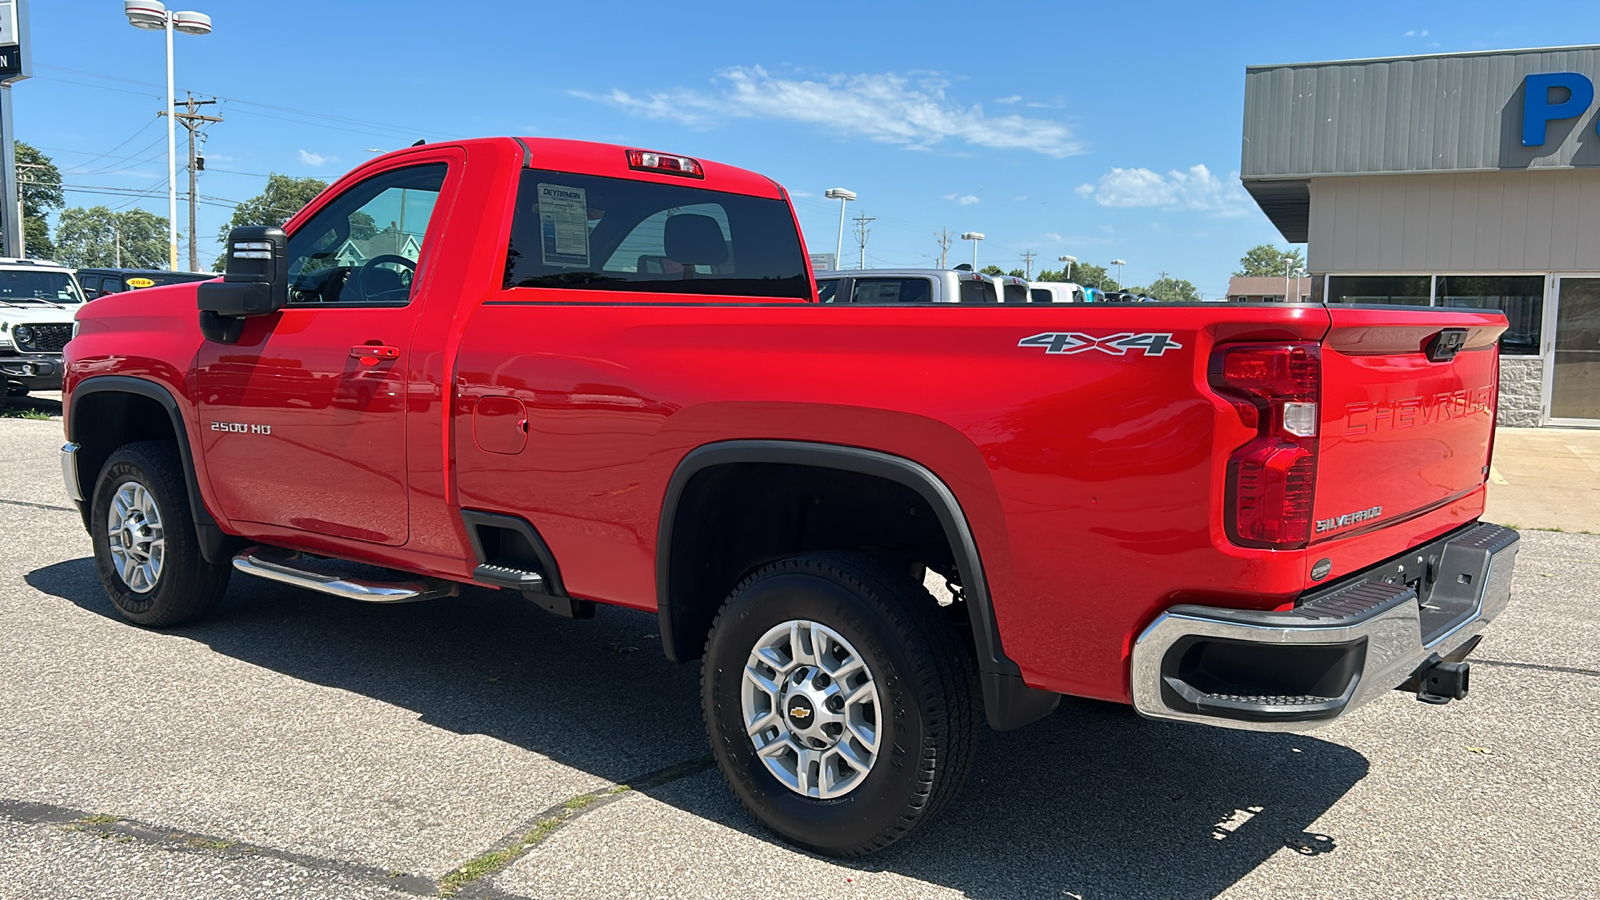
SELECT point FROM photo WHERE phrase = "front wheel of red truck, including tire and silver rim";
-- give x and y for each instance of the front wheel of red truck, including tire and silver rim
(145, 540)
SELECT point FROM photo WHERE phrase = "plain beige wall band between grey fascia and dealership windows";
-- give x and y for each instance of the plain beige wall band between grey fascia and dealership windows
(1494, 222)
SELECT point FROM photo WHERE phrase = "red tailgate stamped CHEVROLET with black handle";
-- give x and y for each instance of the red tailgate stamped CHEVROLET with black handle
(1409, 414)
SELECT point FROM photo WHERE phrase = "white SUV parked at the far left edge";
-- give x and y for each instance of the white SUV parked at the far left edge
(39, 303)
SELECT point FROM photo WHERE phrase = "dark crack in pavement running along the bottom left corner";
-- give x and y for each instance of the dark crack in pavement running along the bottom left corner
(175, 840)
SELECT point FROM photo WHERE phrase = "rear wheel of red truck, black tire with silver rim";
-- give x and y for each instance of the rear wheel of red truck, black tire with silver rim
(839, 702)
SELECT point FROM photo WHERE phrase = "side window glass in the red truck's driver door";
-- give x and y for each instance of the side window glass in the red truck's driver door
(367, 244)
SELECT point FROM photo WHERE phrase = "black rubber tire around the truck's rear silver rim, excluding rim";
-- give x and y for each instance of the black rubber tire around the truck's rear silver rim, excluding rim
(927, 681)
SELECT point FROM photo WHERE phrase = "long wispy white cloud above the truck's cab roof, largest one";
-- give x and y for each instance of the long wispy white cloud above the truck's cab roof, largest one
(884, 108)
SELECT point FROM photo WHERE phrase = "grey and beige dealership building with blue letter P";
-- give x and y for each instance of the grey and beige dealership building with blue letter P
(1468, 180)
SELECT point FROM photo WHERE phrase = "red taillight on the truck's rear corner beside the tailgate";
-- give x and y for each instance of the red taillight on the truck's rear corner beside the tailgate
(1273, 480)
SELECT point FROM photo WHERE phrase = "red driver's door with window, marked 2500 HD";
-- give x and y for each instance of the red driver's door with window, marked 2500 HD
(303, 420)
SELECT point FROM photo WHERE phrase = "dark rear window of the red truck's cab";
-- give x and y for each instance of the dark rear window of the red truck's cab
(583, 231)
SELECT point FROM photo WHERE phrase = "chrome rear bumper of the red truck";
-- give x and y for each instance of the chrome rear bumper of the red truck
(1342, 648)
